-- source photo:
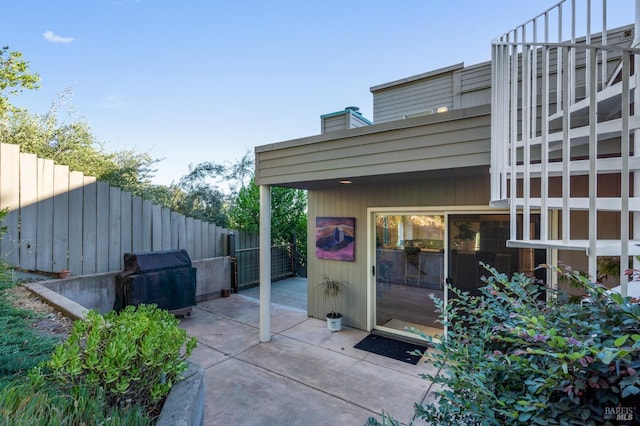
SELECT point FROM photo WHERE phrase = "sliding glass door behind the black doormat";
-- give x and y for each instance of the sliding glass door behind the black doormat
(415, 254)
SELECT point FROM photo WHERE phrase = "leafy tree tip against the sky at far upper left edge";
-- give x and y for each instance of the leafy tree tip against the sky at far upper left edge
(14, 77)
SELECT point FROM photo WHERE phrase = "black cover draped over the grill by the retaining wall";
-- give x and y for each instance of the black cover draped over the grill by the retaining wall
(165, 278)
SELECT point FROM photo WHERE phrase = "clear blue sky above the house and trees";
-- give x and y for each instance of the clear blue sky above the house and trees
(206, 80)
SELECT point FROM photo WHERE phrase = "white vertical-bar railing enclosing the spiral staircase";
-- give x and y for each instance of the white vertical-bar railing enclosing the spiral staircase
(563, 131)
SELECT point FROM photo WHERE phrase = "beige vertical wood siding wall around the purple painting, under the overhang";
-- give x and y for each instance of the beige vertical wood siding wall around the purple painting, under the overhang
(353, 201)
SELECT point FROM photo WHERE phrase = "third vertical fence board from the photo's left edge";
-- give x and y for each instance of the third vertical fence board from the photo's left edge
(44, 243)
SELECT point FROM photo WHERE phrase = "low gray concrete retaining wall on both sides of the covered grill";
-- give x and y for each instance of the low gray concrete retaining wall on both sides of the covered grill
(98, 291)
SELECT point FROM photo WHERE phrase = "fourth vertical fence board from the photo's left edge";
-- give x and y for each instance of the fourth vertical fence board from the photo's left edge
(60, 218)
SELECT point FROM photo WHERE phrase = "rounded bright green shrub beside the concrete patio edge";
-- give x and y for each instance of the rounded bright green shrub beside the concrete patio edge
(131, 357)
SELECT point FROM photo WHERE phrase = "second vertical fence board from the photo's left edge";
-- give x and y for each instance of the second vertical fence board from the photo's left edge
(28, 210)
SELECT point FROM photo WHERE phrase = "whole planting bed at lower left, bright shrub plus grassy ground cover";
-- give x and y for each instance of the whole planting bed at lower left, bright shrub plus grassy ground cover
(111, 370)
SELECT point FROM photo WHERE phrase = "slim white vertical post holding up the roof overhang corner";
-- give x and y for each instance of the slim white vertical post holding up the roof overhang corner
(265, 263)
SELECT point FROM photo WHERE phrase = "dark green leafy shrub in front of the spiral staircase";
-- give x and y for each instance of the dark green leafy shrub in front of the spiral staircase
(510, 357)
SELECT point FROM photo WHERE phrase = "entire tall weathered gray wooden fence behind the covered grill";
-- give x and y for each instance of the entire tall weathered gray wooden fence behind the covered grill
(60, 219)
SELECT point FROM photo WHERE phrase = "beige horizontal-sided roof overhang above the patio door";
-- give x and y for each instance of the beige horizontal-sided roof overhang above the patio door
(447, 144)
